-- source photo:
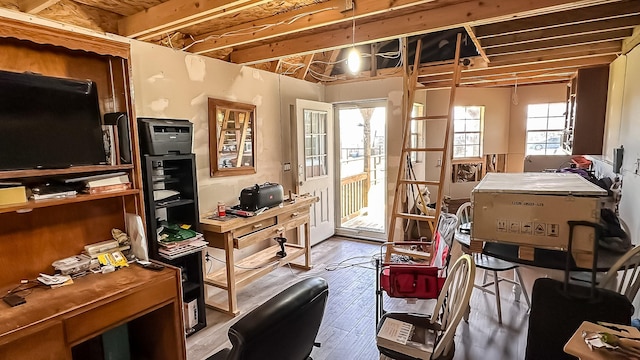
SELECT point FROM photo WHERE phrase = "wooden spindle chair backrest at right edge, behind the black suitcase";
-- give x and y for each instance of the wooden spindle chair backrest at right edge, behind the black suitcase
(624, 276)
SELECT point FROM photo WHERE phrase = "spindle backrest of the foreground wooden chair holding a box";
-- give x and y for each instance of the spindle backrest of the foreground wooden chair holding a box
(453, 302)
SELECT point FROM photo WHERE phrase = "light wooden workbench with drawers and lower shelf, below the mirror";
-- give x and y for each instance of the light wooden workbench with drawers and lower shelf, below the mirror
(239, 233)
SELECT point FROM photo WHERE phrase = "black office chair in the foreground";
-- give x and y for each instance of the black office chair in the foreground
(283, 328)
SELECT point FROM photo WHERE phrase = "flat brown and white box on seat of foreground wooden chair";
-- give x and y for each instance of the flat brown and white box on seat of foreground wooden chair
(406, 339)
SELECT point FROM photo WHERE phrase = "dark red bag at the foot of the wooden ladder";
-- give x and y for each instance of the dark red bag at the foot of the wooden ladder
(411, 281)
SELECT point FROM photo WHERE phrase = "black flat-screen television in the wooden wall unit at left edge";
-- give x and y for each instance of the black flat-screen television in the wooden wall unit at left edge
(48, 122)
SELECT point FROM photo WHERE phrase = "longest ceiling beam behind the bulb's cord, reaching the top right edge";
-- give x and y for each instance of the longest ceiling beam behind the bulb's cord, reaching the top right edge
(419, 22)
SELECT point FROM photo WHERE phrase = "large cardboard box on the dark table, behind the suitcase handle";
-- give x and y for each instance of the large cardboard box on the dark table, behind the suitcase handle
(533, 209)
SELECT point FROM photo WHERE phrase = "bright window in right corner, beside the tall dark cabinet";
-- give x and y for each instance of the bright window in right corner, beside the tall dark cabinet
(545, 123)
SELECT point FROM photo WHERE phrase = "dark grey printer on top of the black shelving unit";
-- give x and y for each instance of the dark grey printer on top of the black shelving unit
(165, 136)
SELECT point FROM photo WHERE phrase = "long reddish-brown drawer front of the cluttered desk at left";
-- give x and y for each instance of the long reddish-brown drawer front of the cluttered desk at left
(93, 321)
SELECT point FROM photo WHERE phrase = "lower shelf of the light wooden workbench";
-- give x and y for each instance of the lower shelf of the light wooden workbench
(254, 266)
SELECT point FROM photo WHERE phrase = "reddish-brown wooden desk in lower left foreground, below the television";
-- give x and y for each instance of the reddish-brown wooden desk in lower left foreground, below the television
(53, 321)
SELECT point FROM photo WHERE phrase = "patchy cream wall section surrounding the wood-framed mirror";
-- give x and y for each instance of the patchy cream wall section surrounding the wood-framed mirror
(174, 84)
